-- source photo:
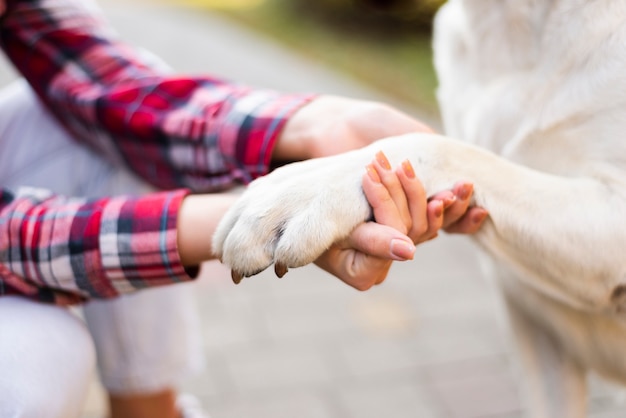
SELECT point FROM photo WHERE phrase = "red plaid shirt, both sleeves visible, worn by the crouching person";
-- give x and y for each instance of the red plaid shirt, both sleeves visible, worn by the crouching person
(199, 133)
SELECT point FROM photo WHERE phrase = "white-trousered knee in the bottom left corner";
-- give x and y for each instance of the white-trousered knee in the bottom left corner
(47, 360)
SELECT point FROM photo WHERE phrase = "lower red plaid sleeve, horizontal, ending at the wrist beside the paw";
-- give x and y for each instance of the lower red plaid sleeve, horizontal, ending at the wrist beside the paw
(65, 250)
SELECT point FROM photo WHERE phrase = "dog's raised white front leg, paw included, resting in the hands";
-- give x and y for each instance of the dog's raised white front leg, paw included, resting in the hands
(295, 213)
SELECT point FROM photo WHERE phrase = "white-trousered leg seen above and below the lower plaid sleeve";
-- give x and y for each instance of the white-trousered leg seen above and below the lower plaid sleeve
(146, 341)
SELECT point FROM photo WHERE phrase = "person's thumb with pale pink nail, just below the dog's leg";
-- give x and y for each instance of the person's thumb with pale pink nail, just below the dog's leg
(382, 241)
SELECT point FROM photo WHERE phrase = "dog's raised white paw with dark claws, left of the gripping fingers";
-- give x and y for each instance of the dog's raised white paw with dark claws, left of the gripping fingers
(292, 215)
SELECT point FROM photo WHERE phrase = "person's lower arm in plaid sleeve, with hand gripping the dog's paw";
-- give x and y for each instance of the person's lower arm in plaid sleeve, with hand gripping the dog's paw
(66, 250)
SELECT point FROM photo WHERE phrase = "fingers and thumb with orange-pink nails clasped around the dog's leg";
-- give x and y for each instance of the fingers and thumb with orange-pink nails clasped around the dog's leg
(404, 217)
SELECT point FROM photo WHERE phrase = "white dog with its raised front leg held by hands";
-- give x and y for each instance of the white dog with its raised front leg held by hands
(537, 90)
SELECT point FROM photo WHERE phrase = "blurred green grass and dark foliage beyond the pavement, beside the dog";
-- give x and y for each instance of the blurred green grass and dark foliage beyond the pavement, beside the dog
(384, 43)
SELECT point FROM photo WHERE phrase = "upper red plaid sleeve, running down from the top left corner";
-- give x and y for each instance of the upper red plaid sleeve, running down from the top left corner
(173, 131)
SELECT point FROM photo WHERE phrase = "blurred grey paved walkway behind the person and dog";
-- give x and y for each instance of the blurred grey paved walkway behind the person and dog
(425, 344)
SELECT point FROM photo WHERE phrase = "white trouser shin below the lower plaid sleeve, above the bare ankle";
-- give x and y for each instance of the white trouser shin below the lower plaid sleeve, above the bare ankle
(147, 341)
